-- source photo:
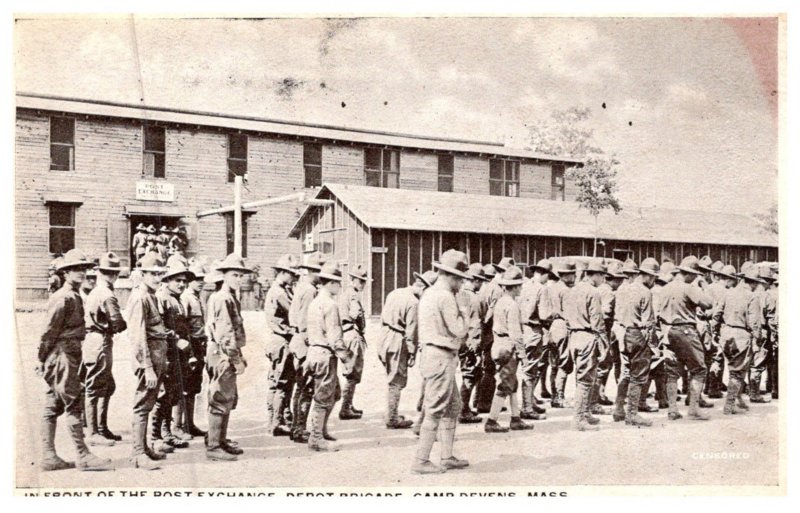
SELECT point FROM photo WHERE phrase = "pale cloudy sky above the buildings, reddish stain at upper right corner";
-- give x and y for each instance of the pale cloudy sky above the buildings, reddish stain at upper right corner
(688, 106)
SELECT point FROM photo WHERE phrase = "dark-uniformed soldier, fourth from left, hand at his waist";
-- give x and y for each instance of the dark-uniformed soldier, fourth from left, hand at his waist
(171, 401)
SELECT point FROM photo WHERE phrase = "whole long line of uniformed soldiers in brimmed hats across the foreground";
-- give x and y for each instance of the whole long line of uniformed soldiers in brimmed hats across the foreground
(651, 323)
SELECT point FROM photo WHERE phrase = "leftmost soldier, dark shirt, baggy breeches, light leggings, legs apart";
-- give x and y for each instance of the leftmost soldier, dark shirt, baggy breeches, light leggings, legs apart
(59, 356)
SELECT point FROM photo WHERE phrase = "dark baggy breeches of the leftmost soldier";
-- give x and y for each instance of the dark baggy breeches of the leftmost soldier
(62, 373)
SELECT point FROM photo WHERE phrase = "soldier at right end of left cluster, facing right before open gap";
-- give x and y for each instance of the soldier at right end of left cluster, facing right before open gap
(224, 357)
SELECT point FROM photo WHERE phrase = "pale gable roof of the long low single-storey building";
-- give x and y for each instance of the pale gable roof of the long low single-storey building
(405, 209)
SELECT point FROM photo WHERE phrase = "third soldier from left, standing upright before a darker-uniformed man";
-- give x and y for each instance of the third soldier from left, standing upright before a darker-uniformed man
(147, 336)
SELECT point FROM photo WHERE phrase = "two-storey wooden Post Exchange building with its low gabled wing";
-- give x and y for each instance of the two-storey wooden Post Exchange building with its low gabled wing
(88, 172)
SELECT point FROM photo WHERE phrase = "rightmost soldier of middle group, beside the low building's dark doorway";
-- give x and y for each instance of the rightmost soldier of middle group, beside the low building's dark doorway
(353, 325)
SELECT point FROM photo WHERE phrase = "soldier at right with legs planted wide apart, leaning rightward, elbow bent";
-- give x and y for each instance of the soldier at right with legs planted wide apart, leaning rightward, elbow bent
(680, 300)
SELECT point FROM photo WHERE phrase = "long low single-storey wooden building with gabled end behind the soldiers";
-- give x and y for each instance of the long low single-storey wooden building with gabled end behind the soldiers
(396, 233)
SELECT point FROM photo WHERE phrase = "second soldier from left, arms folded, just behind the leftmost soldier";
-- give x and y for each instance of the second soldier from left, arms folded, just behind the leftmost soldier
(103, 321)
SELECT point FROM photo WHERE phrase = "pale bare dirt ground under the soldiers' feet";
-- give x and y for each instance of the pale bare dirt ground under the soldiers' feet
(736, 451)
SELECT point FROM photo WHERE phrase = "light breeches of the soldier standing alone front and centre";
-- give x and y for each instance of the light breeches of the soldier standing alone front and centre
(441, 395)
